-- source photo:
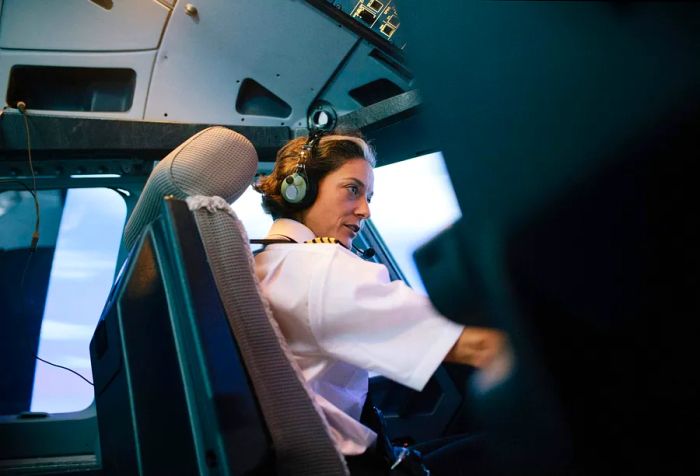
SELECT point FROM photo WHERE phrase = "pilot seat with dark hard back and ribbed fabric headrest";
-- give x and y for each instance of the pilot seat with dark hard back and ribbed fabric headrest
(192, 375)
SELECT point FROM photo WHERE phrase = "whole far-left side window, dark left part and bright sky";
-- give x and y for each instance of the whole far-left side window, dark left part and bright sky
(52, 298)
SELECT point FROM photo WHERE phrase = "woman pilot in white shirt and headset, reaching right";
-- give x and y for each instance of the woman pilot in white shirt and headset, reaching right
(341, 315)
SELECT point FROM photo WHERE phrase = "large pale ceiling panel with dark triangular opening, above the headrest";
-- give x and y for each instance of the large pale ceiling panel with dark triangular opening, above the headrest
(288, 46)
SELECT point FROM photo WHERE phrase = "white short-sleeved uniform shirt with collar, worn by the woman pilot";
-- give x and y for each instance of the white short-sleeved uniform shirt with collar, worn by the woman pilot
(342, 316)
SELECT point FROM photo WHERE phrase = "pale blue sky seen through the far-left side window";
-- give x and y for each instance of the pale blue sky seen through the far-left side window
(81, 277)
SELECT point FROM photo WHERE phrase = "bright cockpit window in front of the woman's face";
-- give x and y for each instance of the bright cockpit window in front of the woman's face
(413, 200)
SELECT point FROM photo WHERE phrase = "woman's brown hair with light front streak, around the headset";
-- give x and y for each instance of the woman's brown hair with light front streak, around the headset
(332, 151)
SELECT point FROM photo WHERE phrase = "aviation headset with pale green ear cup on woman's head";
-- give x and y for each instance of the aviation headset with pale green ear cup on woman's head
(297, 189)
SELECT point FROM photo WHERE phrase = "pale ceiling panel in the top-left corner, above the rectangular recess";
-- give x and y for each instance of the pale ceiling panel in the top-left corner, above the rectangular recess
(80, 25)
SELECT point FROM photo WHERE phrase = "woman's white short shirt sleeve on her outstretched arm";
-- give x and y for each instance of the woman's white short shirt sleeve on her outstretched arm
(361, 317)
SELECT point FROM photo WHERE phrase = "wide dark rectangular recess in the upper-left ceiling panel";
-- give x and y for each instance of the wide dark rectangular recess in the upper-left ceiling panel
(55, 88)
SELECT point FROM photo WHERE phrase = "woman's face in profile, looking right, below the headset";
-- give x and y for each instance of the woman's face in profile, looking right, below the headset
(342, 203)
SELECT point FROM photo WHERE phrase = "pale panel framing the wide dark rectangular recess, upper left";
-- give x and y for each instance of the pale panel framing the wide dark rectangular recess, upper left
(140, 61)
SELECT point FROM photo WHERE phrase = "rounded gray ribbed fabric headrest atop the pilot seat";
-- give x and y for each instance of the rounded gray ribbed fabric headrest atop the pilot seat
(216, 161)
